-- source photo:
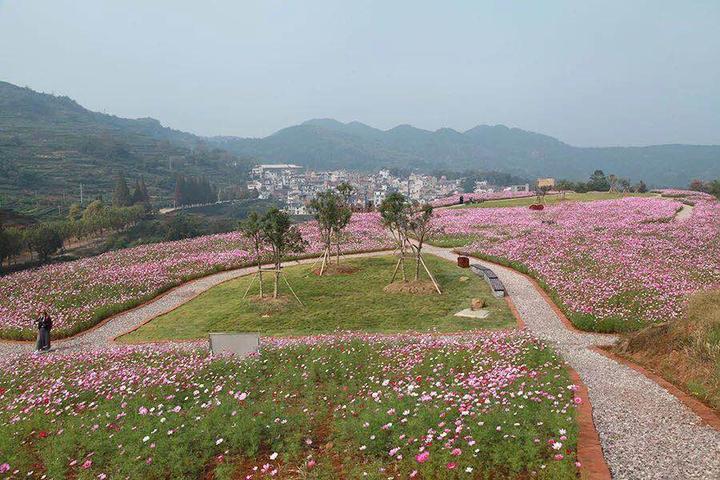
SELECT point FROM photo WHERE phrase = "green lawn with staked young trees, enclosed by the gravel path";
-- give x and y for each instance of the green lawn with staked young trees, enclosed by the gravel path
(354, 302)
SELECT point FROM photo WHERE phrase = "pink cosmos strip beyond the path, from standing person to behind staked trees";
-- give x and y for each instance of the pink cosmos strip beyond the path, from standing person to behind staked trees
(79, 294)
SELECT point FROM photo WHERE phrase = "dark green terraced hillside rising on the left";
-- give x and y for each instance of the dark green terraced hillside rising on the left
(49, 145)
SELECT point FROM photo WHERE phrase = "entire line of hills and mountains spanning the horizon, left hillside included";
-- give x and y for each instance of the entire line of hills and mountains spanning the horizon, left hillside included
(49, 145)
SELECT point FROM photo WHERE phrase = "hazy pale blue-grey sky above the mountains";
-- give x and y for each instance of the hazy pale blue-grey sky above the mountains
(607, 72)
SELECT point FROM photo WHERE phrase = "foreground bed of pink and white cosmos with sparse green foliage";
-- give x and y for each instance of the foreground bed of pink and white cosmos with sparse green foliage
(347, 405)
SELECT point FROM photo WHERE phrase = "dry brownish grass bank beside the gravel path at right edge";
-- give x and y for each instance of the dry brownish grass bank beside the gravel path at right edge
(685, 352)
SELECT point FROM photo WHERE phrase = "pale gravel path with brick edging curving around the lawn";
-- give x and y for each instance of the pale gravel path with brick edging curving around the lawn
(645, 432)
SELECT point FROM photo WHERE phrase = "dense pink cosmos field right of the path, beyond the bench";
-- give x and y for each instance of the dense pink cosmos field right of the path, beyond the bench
(613, 265)
